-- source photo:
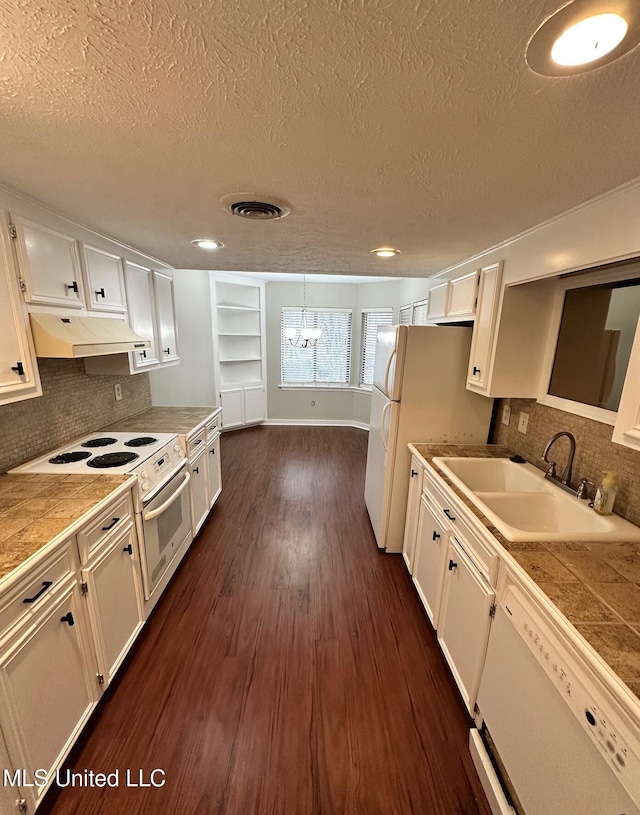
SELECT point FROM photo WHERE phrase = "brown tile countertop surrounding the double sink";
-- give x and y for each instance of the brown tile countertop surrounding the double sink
(596, 585)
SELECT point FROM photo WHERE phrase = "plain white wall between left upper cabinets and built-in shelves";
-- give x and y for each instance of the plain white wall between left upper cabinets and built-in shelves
(191, 383)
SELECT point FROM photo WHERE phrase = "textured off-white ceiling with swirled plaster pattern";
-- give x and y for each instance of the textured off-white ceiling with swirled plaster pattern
(415, 124)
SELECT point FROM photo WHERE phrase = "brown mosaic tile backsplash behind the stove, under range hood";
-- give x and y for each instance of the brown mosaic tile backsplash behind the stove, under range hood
(72, 405)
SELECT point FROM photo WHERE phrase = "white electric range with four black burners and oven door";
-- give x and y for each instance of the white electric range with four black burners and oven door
(163, 514)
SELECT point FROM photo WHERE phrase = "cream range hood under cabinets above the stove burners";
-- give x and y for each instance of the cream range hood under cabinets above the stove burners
(75, 337)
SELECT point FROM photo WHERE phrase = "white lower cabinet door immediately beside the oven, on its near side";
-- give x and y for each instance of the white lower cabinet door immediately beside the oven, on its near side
(116, 604)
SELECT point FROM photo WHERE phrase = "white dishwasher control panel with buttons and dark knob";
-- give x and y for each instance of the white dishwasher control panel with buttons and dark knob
(609, 729)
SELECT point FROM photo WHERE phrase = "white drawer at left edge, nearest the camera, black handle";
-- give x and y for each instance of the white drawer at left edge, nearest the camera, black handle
(38, 585)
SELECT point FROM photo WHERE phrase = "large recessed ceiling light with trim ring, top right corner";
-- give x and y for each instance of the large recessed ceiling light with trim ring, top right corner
(584, 35)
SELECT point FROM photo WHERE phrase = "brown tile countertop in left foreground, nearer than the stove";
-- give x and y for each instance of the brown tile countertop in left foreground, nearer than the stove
(38, 509)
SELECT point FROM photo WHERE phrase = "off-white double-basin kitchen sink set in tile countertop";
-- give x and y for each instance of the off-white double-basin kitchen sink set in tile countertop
(524, 505)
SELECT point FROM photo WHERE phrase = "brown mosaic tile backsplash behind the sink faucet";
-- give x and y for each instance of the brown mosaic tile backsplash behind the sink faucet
(595, 452)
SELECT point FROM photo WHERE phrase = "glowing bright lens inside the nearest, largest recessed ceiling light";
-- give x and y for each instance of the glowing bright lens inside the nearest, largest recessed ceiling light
(589, 39)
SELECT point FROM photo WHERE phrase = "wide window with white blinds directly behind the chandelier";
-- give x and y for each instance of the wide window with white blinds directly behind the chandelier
(329, 361)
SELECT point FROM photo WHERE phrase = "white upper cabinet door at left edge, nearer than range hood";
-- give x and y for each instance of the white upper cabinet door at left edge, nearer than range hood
(18, 371)
